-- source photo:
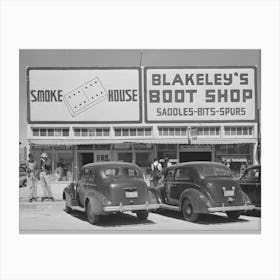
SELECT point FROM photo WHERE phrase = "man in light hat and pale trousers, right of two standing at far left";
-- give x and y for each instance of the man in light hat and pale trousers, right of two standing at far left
(46, 169)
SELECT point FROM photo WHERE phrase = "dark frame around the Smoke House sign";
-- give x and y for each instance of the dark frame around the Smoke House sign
(29, 121)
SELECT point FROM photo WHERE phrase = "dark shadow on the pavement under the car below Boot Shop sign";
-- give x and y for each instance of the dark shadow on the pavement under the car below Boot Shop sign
(205, 219)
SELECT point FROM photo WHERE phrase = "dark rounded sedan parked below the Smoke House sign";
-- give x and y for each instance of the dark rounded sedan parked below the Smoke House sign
(110, 187)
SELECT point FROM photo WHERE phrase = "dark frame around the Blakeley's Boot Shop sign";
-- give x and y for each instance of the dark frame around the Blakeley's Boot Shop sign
(254, 67)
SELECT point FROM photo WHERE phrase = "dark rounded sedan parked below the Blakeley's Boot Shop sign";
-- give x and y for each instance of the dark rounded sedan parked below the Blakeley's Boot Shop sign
(202, 187)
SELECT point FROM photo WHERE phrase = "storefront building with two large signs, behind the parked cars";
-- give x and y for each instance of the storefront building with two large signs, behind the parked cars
(136, 114)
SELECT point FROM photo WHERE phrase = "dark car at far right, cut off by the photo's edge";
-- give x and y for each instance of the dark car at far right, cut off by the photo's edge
(250, 183)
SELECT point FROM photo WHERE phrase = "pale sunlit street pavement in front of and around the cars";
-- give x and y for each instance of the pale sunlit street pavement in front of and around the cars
(50, 217)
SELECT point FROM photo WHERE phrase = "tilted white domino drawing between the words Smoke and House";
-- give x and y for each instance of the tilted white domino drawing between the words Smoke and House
(84, 97)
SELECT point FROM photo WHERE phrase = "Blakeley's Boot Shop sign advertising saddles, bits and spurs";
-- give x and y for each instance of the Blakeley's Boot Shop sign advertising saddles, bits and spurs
(208, 94)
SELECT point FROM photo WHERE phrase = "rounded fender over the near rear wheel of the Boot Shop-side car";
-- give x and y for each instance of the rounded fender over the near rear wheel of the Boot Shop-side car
(199, 201)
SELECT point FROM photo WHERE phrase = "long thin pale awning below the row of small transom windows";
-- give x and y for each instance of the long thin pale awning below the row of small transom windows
(70, 142)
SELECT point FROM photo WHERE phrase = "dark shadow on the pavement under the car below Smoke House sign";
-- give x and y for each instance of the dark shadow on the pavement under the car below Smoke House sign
(112, 220)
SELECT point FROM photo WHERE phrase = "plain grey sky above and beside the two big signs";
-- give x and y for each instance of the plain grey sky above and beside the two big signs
(126, 58)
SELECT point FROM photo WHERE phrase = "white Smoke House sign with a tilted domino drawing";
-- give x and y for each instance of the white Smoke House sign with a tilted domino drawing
(84, 95)
